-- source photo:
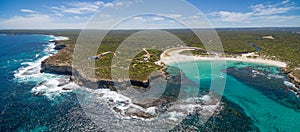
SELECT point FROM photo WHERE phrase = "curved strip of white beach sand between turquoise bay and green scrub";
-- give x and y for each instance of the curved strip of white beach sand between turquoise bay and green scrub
(172, 55)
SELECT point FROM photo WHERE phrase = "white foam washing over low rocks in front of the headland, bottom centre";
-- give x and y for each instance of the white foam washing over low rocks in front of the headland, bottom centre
(175, 113)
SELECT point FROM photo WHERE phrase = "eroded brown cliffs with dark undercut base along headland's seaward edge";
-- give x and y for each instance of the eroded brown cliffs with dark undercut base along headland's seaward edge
(61, 63)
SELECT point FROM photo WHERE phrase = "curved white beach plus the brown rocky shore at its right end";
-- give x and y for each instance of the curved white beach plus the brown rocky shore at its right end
(173, 56)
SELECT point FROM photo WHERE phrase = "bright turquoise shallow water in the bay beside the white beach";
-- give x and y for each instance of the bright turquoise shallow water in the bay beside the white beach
(267, 114)
